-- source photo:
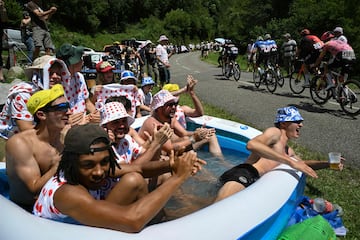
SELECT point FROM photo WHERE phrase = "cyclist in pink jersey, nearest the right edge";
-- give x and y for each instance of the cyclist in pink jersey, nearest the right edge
(342, 55)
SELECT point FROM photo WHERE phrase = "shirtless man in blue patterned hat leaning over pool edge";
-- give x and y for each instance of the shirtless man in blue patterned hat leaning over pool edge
(269, 150)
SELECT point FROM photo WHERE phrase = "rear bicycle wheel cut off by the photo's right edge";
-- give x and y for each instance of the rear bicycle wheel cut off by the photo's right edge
(349, 97)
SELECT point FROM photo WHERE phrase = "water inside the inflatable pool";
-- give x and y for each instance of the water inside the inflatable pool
(200, 190)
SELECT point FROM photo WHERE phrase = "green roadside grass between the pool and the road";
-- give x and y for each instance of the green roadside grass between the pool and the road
(338, 187)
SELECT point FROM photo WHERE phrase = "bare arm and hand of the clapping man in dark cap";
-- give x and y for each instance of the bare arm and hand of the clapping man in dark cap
(128, 218)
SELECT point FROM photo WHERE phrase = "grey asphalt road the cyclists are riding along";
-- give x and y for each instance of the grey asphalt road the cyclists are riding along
(326, 128)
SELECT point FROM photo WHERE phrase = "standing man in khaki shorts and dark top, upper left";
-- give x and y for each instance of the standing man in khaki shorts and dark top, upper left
(41, 34)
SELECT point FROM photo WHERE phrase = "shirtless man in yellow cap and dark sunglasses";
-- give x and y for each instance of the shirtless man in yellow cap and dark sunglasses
(32, 155)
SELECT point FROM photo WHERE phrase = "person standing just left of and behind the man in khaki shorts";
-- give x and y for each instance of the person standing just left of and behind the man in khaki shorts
(26, 35)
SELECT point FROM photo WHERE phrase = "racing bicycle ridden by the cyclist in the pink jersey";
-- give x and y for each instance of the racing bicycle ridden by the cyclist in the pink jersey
(346, 93)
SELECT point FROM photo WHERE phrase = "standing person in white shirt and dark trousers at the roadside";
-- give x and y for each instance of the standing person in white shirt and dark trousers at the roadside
(163, 60)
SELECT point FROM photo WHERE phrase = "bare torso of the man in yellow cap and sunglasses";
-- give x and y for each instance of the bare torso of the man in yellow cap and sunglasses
(30, 162)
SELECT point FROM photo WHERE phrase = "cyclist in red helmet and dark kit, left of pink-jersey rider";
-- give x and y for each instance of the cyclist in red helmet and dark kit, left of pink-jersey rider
(309, 49)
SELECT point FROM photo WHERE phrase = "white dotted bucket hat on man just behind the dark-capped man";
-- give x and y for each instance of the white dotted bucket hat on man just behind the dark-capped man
(113, 111)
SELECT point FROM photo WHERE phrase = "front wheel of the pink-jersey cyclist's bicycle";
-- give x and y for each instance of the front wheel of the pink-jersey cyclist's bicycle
(317, 91)
